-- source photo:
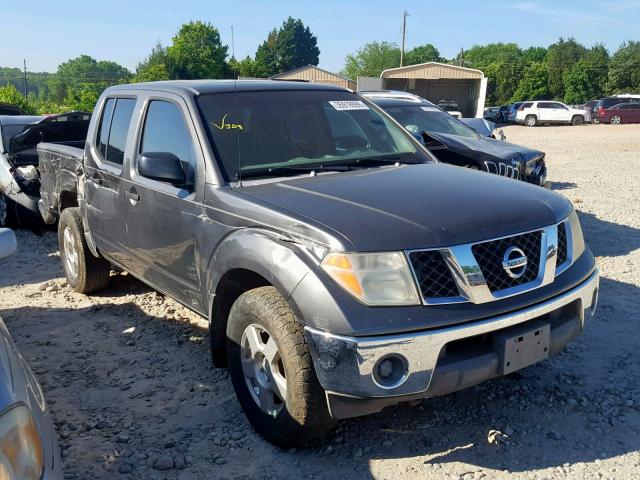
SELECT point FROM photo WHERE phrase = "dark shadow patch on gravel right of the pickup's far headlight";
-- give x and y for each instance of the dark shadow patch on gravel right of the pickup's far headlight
(608, 239)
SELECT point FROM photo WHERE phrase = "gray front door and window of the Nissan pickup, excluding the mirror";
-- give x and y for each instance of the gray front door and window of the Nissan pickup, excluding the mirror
(163, 220)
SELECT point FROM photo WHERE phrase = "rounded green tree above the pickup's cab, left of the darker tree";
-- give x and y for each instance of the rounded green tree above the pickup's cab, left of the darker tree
(197, 52)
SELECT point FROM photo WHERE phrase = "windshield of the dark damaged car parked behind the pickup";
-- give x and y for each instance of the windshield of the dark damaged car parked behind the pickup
(418, 119)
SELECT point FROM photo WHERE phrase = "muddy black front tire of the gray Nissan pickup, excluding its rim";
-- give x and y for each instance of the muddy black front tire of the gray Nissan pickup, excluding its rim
(304, 416)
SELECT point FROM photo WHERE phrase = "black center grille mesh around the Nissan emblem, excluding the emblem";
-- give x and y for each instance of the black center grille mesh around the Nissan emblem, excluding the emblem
(489, 256)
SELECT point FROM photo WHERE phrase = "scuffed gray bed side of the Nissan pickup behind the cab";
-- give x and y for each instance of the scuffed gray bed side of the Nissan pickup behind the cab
(58, 165)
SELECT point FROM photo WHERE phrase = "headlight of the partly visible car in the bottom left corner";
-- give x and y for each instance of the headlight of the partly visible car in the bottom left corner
(21, 452)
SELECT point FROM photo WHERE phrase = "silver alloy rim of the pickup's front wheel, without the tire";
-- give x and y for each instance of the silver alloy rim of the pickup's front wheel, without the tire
(263, 369)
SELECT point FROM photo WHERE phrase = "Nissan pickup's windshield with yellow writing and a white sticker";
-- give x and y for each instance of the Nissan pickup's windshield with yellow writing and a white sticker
(269, 131)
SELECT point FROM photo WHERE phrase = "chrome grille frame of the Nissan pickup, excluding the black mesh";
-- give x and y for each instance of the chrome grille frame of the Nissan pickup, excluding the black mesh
(470, 280)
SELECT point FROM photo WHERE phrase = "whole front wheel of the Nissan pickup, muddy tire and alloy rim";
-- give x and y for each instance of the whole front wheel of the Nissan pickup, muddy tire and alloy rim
(272, 371)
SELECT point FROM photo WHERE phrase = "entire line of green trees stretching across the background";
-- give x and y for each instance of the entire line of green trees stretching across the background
(565, 70)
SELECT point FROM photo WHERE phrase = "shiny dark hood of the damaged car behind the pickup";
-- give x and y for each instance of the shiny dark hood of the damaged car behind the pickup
(485, 148)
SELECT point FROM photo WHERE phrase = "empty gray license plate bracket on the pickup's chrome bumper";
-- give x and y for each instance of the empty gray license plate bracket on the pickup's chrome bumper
(522, 345)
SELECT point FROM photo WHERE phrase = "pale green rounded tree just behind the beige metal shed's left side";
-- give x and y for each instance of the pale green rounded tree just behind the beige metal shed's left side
(371, 60)
